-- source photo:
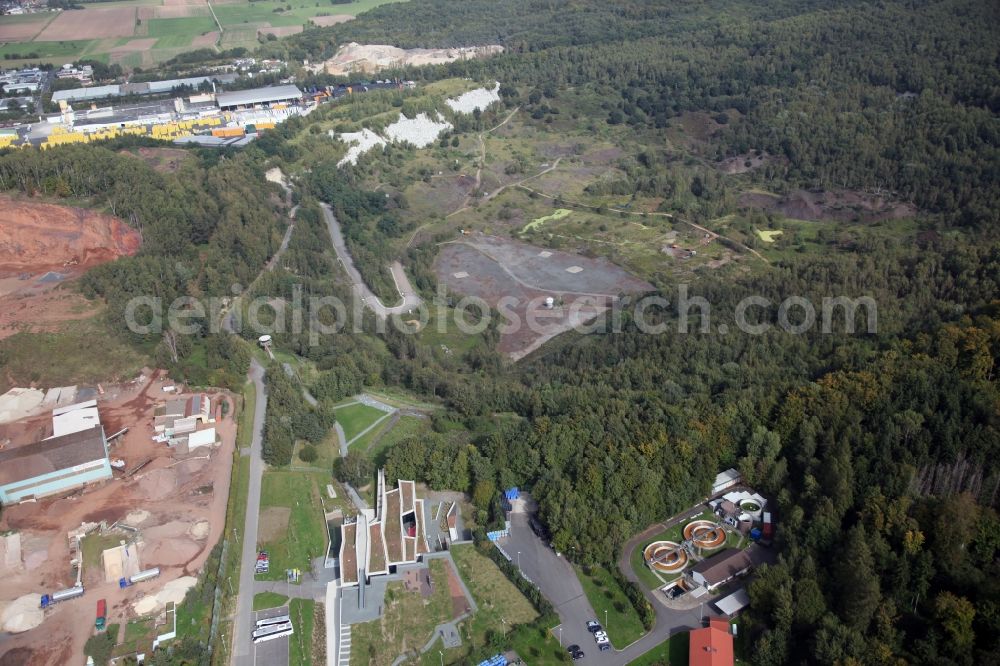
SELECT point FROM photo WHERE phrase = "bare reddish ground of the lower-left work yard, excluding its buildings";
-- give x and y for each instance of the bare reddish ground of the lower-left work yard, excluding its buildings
(171, 488)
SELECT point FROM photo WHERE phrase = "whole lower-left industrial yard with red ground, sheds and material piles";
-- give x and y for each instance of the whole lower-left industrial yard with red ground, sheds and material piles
(161, 508)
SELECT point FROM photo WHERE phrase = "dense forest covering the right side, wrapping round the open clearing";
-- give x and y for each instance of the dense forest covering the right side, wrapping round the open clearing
(878, 449)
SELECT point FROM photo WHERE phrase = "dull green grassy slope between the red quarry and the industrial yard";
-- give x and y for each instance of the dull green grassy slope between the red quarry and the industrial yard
(68, 356)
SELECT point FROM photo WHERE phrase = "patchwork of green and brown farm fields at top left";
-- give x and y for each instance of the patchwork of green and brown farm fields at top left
(145, 32)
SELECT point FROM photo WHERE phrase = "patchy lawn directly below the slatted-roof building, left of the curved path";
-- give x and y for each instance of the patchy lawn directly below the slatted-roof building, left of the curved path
(407, 621)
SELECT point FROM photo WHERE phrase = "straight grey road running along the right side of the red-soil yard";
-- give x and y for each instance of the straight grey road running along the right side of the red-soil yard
(243, 648)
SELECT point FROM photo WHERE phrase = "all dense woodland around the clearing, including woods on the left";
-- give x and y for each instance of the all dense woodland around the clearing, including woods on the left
(879, 450)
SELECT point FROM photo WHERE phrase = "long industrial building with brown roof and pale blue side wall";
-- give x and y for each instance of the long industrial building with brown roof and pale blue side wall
(54, 465)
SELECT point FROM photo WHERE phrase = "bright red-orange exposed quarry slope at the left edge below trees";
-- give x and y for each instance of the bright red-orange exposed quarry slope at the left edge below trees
(37, 237)
